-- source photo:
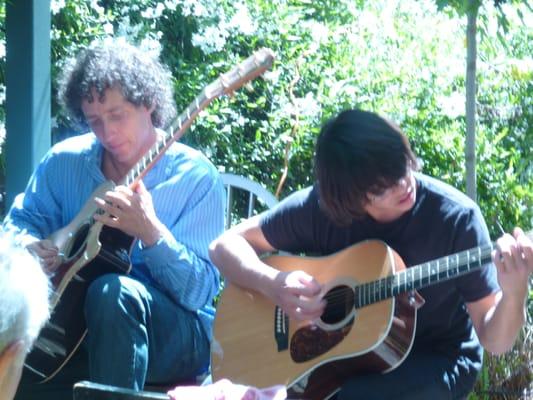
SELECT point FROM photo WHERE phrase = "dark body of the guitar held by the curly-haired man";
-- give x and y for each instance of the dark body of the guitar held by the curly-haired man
(90, 250)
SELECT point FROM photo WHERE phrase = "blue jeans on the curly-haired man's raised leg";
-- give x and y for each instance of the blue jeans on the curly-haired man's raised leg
(136, 334)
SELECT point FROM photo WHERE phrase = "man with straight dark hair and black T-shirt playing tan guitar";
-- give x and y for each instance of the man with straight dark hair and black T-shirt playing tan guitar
(367, 187)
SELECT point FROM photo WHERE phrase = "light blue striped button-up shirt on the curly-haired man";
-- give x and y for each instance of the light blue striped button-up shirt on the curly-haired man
(188, 197)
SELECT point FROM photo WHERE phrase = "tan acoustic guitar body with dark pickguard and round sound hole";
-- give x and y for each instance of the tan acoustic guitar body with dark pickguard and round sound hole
(256, 344)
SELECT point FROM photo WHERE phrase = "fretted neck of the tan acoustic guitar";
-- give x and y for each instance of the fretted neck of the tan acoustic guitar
(426, 274)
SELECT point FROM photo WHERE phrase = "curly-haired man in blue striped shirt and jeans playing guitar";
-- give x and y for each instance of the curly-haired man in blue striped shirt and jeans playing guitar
(153, 325)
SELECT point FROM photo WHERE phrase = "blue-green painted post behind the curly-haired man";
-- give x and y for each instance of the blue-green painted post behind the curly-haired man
(27, 90)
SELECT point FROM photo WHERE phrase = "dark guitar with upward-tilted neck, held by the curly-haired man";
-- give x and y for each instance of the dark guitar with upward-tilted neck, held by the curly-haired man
(92, 249)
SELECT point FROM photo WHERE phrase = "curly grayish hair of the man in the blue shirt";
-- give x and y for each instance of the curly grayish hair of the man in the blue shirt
(113, 63)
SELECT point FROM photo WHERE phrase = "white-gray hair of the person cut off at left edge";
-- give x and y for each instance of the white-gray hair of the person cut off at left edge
(24, 293)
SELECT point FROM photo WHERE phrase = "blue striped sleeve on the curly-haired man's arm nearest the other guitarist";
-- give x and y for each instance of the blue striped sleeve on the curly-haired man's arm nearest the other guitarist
(190, 203)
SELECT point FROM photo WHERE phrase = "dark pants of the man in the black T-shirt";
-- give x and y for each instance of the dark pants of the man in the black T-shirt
(423, 375)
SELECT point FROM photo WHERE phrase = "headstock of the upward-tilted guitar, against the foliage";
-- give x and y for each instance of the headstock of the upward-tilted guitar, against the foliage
(244, 72)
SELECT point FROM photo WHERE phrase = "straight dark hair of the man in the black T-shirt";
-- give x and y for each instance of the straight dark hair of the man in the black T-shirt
(358, 153)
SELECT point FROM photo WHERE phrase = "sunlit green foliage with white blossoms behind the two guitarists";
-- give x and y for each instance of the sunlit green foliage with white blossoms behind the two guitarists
(403, 59)
